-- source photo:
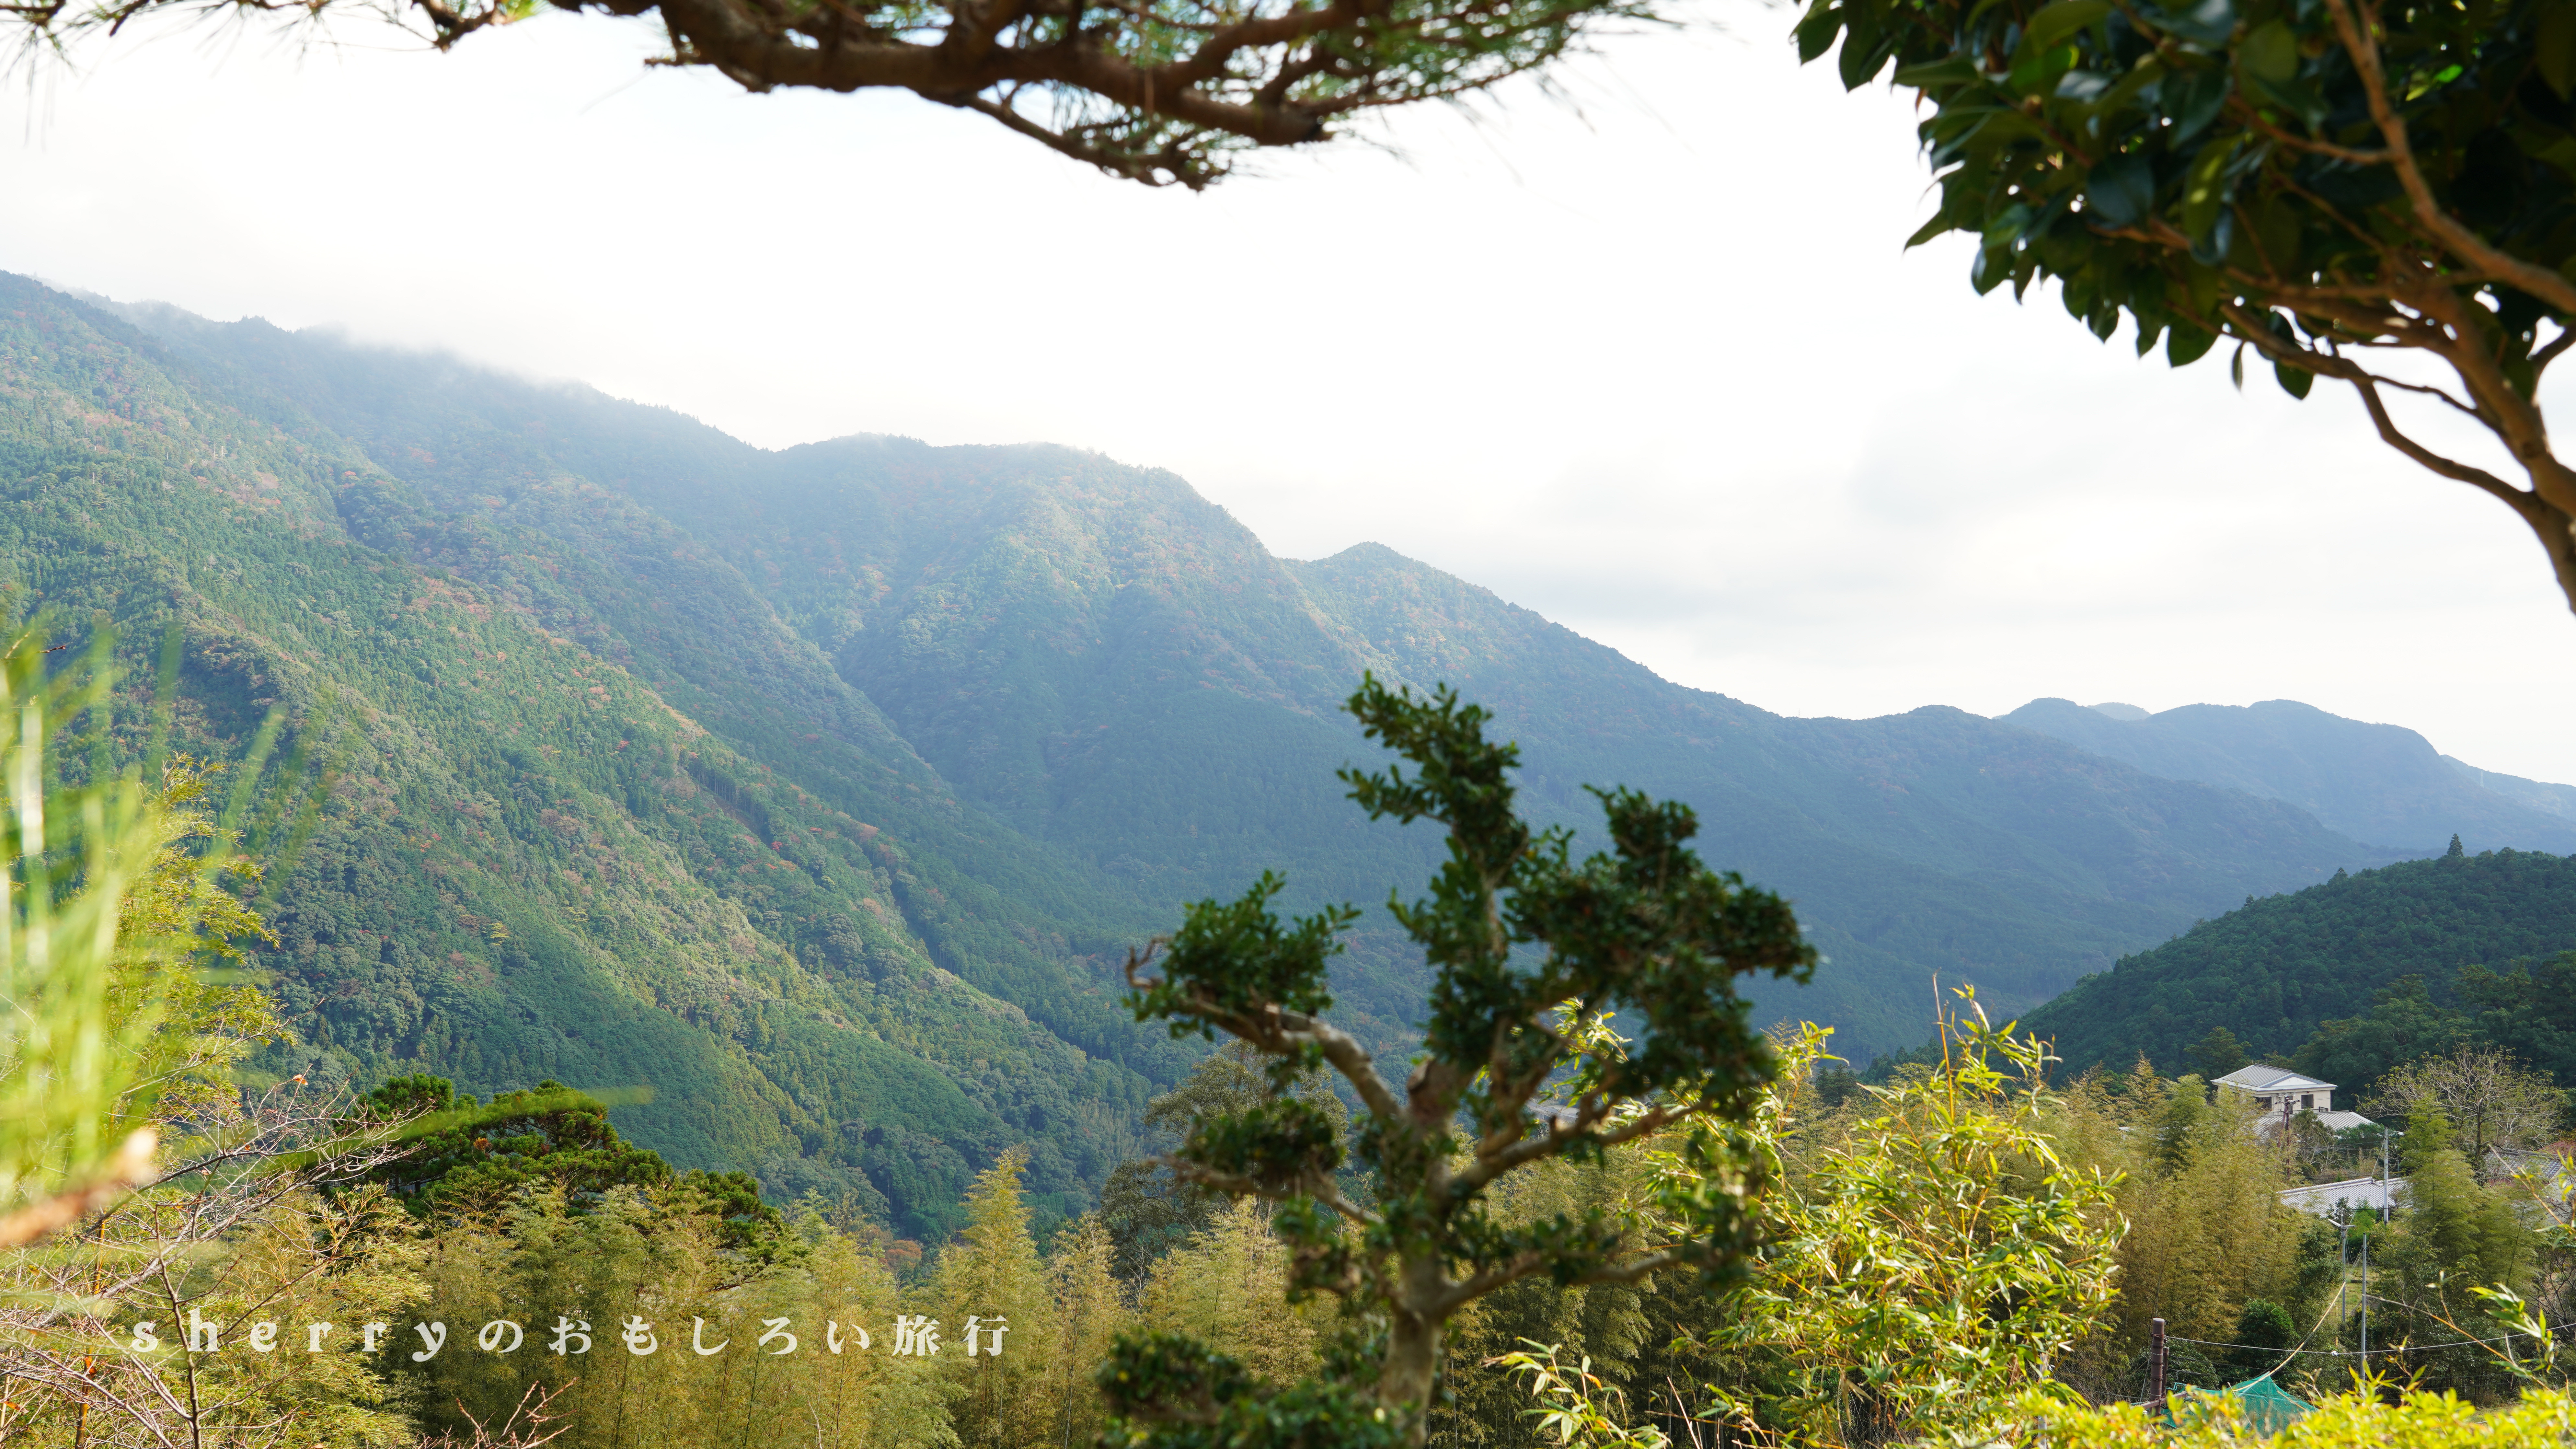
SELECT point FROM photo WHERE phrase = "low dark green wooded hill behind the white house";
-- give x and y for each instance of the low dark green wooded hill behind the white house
(2281, 968)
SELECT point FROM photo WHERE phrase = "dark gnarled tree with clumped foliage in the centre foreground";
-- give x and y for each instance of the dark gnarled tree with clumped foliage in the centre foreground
(1531, 955)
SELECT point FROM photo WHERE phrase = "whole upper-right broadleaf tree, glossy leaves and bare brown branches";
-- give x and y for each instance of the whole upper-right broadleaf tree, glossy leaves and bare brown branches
(2327, 184)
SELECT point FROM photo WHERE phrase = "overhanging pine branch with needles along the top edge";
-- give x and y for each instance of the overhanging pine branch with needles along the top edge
(1168, 92)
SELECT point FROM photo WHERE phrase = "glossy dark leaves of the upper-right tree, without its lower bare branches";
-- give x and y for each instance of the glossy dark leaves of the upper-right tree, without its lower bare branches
(2199, 141)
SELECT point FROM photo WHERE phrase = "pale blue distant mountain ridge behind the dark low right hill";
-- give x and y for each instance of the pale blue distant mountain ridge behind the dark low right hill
(2374, 783)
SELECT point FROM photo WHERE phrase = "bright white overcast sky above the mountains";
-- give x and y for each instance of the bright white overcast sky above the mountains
(1650, 362)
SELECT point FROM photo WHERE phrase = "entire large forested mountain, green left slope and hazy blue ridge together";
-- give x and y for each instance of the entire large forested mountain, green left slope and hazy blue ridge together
(820, 790)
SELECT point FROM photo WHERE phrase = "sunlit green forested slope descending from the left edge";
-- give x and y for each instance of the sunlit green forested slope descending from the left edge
(532, 862)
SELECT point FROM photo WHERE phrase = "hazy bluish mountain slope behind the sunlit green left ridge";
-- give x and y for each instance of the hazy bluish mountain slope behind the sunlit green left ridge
(1117, 669)
